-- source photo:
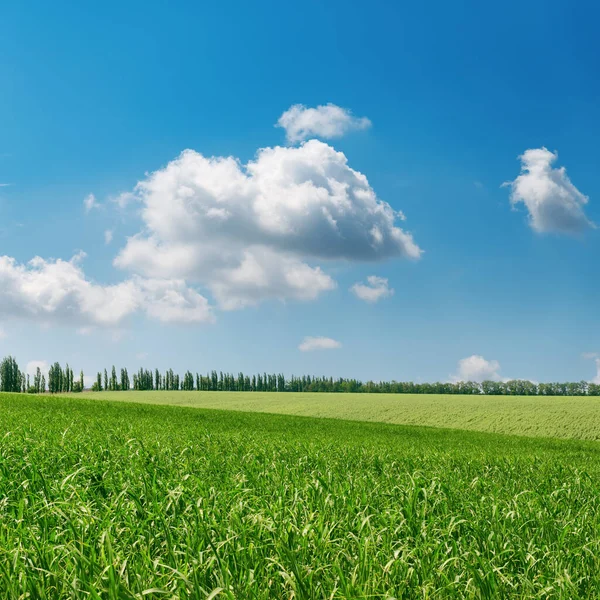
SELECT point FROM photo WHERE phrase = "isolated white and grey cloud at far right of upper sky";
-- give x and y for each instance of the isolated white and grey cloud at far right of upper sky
(553, 202)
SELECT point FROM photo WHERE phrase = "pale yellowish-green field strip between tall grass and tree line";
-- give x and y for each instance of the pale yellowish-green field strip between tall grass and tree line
(559, 416)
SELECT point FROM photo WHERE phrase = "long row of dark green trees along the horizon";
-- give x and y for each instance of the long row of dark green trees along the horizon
(60, 380)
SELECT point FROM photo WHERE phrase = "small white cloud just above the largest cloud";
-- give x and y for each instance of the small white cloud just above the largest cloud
(327, 122)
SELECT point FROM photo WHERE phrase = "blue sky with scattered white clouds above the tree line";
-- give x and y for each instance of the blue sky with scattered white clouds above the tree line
(96, 99)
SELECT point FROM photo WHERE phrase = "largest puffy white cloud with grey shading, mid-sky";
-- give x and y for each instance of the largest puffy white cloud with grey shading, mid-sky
(251, 232)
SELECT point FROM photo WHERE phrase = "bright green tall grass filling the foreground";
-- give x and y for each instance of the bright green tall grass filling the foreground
(118, 501)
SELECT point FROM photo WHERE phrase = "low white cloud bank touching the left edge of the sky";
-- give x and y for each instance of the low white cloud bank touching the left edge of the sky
(57, 291)
